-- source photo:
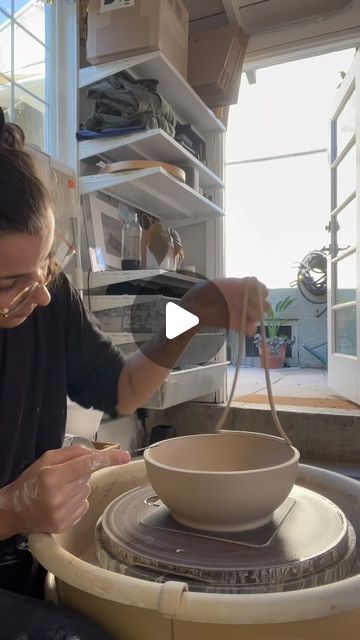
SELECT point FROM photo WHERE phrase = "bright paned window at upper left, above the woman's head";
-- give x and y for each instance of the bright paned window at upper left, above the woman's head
(23, 57)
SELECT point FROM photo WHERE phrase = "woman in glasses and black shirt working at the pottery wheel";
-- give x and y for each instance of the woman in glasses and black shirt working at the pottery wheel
(51, 347)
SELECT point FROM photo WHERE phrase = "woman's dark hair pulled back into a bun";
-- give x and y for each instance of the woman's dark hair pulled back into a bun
(24, 198)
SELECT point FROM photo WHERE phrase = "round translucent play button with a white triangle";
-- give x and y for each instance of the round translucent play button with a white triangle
(141, 310)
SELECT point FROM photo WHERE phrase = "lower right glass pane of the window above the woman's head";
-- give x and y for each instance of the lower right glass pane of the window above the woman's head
(30, 114)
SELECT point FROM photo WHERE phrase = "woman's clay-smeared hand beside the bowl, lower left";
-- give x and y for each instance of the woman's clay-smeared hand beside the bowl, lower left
(51, 495)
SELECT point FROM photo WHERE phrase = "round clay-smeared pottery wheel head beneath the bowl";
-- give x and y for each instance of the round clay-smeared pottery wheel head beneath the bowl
(308, 543)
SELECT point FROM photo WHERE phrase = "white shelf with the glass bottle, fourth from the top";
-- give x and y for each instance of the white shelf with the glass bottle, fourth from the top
(105, 278)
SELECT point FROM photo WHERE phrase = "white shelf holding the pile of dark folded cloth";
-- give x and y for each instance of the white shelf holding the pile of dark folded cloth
(153, 144)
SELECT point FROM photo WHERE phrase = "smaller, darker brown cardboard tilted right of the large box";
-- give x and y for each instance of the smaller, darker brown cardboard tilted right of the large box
(214, 72)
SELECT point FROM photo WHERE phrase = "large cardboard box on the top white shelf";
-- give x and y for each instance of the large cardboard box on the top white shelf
(145, 25)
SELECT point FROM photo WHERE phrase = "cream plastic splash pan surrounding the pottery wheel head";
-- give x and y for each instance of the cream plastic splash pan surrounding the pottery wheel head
(132, 609)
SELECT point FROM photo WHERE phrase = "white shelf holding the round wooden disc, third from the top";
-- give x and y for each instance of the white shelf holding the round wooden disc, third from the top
(154, 191)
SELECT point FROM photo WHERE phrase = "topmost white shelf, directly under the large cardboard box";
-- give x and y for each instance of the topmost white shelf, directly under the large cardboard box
(188, 106)
